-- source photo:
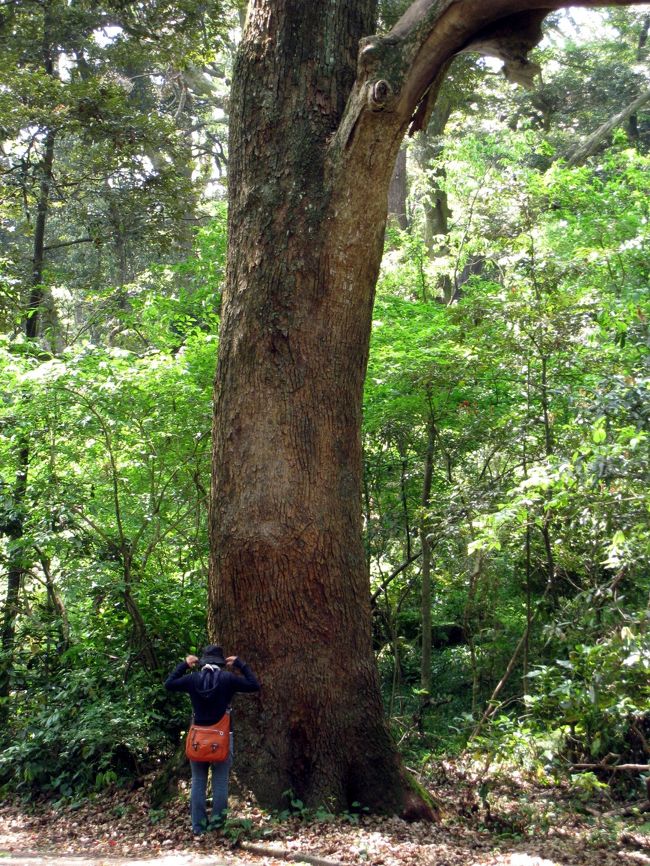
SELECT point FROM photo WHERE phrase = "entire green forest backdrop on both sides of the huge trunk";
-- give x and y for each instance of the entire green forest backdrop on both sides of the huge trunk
(506, 409)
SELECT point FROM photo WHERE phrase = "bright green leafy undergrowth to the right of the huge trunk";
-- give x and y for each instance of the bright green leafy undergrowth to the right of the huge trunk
(522, 346)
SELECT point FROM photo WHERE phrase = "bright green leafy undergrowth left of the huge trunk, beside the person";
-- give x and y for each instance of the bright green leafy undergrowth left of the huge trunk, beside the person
(113, 520)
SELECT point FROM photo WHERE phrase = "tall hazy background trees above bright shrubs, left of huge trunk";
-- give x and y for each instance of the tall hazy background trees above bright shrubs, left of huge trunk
(103, 117)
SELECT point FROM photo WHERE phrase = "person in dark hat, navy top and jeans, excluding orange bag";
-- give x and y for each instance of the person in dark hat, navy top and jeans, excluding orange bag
(211, 690)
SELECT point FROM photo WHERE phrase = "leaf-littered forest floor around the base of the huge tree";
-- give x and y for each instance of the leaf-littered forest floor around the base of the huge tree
(504, 820)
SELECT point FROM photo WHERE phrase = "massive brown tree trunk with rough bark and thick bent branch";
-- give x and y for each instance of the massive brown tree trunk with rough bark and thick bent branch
(317, 120)
